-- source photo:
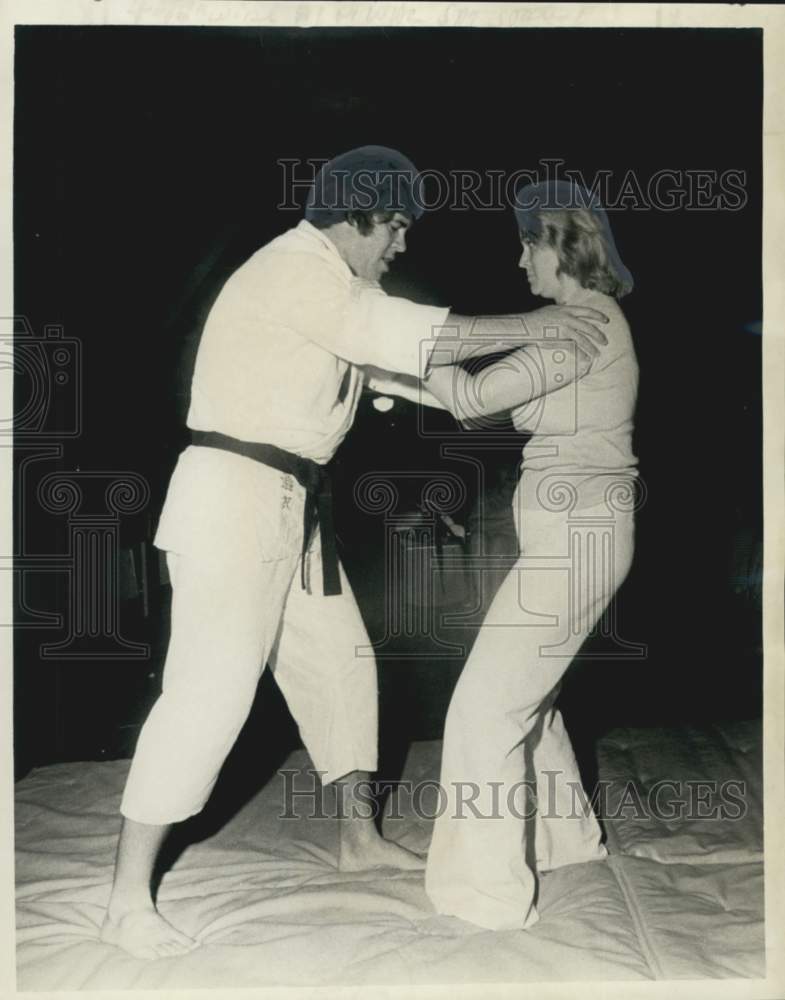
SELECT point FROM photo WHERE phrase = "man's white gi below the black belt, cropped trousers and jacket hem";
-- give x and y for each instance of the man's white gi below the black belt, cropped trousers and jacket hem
(232, 529)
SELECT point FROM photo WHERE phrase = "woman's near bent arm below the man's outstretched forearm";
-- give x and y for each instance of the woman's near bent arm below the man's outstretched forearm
(521, 376)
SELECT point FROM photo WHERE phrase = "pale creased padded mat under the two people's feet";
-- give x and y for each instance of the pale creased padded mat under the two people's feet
(265, 900)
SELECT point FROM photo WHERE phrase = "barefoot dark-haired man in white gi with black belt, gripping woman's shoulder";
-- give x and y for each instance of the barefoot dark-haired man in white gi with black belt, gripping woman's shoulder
(247, 523)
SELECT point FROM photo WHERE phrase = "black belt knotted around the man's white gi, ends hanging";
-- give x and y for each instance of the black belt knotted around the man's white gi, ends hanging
(314, 478)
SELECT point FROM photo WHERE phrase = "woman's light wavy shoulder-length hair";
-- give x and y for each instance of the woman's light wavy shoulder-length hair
(578, 238)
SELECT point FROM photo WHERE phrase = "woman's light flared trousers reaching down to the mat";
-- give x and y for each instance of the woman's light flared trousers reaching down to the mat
(502, 728)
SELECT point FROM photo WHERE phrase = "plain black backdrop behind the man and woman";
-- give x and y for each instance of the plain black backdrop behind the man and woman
(145, 168)
